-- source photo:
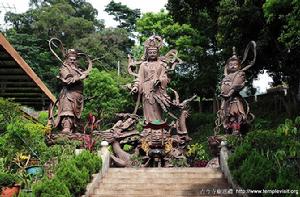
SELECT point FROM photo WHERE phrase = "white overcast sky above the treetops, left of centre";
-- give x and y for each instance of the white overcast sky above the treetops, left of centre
(145, 6)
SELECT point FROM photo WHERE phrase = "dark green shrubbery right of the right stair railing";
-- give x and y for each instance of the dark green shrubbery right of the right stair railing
(268, 159)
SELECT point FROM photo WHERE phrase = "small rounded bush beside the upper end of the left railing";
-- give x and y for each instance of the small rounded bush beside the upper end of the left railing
(88, 160)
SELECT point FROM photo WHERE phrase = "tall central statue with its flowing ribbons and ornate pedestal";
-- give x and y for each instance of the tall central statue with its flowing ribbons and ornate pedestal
(160, 141)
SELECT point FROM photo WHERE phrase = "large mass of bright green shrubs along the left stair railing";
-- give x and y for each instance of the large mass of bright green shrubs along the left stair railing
(71, 174)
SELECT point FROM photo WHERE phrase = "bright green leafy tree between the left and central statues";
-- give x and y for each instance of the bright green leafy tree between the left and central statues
(107, 95)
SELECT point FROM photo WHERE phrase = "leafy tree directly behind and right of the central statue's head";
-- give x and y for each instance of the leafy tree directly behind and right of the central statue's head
(199, 68)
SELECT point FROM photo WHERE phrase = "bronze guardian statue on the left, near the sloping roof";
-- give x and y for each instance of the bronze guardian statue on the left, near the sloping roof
(70, 100)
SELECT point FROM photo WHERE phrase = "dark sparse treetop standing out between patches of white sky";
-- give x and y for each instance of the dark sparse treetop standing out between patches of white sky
(124, 15)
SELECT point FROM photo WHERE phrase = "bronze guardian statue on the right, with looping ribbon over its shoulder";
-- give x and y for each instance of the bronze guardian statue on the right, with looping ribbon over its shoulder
(234, 112)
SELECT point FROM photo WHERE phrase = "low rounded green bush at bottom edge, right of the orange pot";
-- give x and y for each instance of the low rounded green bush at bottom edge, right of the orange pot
(52, 187)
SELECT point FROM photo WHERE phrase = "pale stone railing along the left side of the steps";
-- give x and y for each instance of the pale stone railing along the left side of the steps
(105, 156)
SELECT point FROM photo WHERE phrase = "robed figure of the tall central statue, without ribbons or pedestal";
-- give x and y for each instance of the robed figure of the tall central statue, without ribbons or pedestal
(152, 81)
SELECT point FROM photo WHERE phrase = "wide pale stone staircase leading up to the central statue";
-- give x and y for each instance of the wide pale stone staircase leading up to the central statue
(161, 182)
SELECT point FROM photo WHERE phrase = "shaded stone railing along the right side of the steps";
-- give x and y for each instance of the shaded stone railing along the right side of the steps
(224, 154)
